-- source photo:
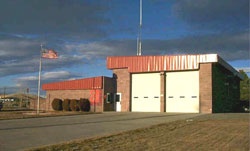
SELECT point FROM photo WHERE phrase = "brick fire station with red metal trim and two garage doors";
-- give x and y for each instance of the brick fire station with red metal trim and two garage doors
(202, 83)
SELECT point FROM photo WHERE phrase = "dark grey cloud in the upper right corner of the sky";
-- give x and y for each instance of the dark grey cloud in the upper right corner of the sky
(219, 15)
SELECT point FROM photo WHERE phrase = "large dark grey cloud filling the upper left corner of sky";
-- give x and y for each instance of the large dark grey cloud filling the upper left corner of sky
(59, 17)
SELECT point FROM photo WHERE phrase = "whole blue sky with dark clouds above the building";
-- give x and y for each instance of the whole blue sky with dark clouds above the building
(85, 32)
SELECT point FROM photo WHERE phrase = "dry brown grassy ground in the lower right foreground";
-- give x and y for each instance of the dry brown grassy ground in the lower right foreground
(222, 132)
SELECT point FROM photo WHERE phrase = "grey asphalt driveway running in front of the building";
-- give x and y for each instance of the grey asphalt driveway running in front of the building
(22, 134)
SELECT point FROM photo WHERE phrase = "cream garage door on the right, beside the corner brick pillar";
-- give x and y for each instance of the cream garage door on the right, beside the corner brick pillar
(182, 92)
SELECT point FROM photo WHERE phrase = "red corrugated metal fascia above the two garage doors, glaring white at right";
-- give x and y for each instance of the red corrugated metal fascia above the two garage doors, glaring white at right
(159, 63)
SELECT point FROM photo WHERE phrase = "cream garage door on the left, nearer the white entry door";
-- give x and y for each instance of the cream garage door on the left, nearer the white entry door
(146, 92)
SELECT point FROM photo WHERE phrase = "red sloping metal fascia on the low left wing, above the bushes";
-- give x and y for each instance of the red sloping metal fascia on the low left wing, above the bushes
(79, 84)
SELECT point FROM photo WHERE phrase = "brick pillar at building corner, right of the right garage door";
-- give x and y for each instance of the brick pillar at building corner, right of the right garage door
(205, 77)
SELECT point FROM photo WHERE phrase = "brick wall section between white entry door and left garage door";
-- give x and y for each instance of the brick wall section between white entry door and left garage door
(123, 81)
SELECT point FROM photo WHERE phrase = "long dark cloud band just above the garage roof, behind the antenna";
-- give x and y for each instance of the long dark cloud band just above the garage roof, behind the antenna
(230, 46)
